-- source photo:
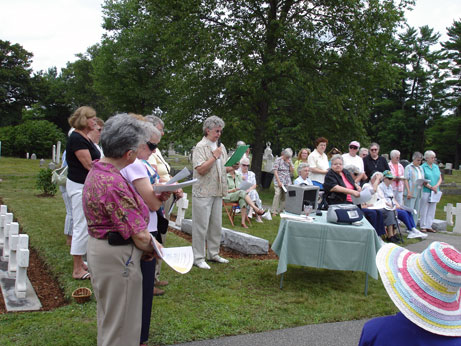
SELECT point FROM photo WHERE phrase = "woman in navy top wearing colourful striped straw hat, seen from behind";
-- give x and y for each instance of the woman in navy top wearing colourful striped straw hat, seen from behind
(426, 289)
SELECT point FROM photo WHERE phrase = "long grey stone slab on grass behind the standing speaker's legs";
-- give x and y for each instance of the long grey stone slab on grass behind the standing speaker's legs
(238, 241)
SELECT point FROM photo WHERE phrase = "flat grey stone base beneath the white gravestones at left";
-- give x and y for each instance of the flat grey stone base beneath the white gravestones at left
(12, 302)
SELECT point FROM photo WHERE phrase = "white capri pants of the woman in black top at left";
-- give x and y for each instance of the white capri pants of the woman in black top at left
(80, 229)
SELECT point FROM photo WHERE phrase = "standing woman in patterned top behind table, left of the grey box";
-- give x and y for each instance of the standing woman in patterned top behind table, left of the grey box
(283, 167)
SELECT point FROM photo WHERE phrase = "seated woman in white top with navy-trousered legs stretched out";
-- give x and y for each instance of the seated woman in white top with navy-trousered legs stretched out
(385, 192)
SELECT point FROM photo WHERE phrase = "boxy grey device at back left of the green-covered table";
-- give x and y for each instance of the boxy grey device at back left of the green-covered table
(300, 195)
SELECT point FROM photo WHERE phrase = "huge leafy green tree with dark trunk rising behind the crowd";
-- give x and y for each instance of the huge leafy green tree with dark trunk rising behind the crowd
(280, 71)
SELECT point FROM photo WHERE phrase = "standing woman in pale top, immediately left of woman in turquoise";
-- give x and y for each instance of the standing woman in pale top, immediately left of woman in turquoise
(412, 192)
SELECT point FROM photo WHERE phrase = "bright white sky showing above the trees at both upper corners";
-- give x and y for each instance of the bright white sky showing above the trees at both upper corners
(55, 30)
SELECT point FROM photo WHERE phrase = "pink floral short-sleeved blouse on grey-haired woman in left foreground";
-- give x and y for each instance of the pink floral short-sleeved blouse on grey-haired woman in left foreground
(111, 204)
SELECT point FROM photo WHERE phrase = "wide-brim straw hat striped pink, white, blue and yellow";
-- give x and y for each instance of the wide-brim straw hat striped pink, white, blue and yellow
(425, 287)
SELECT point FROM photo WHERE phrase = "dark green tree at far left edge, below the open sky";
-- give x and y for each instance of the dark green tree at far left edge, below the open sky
(16, 83)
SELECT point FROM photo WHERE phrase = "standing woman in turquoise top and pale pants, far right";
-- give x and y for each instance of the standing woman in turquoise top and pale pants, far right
(427, 208)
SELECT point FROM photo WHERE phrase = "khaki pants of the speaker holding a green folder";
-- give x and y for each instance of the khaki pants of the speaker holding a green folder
(206, 227)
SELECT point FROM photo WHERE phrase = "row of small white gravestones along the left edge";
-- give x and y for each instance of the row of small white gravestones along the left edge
(15, 251)
